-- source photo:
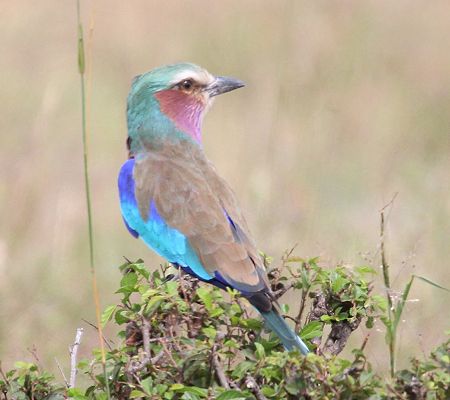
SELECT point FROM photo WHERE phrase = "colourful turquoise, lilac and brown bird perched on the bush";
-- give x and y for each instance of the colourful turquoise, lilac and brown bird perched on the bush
(172, 197)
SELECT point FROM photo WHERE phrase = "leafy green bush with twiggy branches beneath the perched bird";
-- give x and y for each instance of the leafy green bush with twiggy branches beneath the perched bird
(182, 339)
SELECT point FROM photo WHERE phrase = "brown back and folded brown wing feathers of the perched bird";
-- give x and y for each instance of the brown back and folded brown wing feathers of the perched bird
(191, 197)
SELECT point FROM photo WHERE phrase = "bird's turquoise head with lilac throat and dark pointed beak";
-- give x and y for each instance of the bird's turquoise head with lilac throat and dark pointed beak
(172, 100)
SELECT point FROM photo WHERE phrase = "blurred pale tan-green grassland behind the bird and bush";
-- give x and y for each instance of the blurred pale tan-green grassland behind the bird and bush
(347, 103)
